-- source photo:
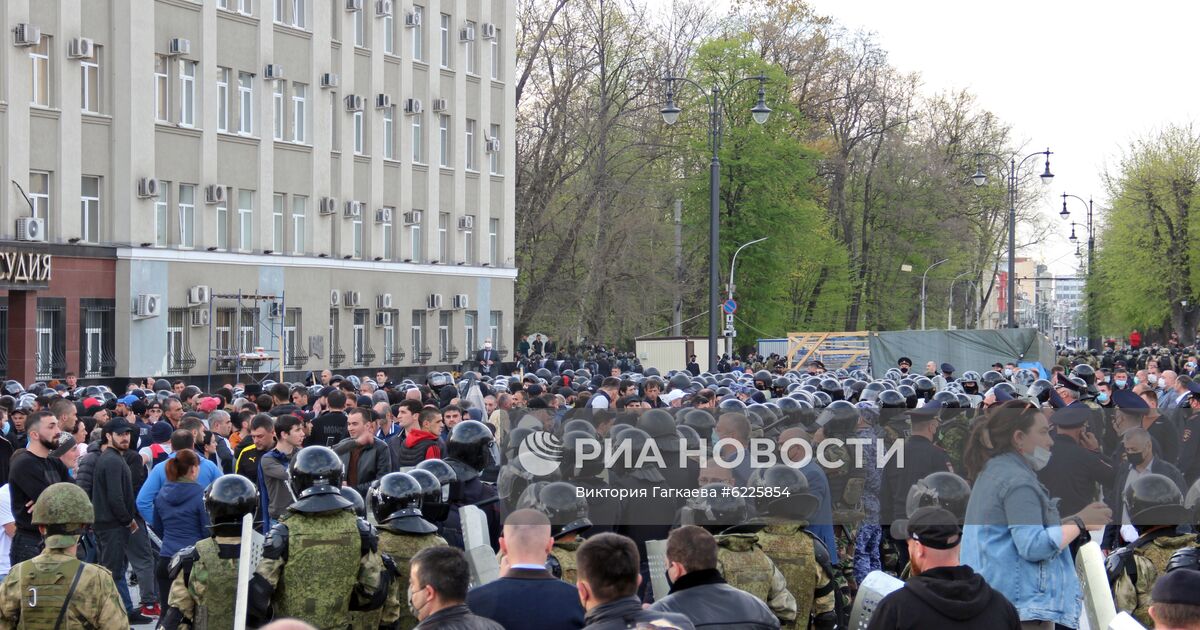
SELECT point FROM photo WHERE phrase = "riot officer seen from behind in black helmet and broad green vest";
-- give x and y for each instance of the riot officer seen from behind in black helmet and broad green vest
(319, 539)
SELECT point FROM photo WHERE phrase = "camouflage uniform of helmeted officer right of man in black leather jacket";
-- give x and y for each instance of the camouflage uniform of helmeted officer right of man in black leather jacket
(746, 567)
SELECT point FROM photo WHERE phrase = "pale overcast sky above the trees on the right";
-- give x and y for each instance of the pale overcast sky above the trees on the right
(1081, 77)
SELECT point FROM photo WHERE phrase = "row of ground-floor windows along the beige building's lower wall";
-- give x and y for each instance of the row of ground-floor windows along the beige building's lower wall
(233, 335)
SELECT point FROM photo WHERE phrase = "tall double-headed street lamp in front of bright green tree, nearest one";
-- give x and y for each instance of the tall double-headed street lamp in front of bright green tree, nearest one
(716, 128)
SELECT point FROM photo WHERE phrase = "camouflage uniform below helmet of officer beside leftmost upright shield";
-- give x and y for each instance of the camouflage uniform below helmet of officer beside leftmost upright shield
(206, 589)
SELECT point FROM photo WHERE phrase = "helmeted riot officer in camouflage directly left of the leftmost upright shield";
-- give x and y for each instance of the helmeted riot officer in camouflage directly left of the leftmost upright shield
(205, 578)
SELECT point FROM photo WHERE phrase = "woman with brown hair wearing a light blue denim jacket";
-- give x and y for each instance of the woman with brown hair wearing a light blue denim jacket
(1013, 535)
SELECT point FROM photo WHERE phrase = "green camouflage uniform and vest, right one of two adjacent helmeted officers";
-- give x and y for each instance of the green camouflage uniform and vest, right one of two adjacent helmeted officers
(795, 553)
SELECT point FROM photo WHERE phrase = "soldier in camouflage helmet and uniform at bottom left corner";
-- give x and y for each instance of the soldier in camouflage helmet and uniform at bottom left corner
(56, 590)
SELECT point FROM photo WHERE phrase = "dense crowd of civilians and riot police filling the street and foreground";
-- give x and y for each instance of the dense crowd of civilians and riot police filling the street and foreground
(364, 489)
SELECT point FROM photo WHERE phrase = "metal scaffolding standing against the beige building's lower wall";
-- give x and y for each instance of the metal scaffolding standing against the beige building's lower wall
(256, 362)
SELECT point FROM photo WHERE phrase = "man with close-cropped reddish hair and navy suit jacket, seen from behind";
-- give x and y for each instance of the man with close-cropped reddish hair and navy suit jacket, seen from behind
(526, 585)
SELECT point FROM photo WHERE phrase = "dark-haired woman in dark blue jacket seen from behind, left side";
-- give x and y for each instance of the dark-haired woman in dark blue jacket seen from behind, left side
(179, 515)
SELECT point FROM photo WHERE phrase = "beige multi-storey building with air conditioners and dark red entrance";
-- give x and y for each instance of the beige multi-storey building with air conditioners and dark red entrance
(238, 188)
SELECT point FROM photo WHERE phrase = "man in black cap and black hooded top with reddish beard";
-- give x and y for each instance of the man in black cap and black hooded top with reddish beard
(943, 593)
